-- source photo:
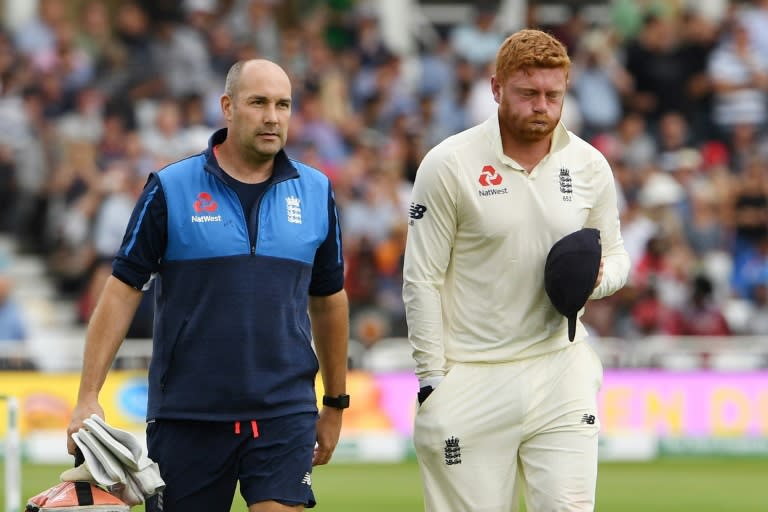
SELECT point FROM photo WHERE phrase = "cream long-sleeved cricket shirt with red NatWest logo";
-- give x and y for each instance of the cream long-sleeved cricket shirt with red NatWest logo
(479, 234)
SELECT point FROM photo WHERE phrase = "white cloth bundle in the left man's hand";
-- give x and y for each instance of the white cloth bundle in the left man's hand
(115, 460)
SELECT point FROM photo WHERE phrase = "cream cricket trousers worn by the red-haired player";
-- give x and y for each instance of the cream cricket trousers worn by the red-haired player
(535, 419)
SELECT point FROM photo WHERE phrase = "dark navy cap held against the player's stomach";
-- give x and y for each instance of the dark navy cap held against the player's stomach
(571, 271)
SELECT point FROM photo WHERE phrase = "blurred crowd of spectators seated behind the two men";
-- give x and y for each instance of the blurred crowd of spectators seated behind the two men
(95, 95)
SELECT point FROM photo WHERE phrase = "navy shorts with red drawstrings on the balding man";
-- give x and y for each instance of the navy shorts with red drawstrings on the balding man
(202, 462)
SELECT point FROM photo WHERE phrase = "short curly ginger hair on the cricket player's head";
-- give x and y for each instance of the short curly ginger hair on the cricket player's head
(528, 49)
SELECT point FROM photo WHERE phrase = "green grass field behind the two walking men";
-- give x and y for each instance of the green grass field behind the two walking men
(671, 485)
